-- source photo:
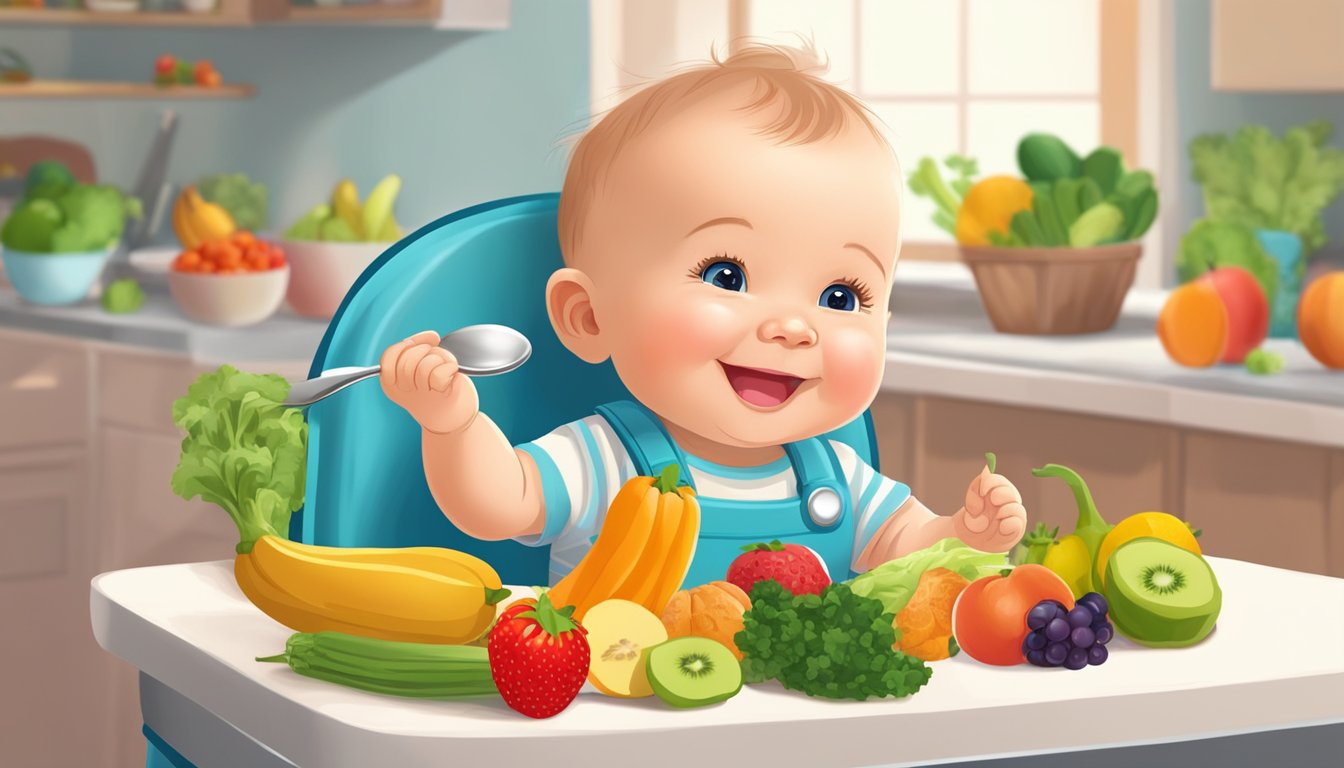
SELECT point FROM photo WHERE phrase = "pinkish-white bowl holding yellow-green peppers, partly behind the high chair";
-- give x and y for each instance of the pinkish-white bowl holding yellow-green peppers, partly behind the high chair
(325, 272)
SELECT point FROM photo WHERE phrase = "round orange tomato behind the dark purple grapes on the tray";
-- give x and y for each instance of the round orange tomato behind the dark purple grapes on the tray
(990, 619)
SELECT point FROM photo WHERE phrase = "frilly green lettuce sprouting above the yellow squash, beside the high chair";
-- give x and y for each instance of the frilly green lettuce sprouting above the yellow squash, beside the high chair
(244, 451)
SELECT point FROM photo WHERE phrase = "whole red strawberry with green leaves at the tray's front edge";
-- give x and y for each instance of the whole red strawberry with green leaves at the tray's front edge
(540, 657)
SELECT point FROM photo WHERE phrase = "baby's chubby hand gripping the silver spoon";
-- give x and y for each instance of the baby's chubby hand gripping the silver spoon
(423, 377)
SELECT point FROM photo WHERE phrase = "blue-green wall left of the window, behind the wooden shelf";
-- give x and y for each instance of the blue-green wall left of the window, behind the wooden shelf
(462, 116)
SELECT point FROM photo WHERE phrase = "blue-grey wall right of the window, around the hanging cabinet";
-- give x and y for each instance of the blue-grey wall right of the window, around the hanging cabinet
(1200, 110)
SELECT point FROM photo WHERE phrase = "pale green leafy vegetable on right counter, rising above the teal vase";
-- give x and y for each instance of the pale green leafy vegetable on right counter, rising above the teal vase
(1263, 182)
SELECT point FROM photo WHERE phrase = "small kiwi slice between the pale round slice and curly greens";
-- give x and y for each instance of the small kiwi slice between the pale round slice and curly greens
(694, 672)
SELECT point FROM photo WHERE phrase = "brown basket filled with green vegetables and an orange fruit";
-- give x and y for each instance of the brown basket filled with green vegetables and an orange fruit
(1054, 249)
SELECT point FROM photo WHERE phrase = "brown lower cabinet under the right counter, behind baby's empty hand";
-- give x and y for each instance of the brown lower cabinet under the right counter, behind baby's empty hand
(1263, 501)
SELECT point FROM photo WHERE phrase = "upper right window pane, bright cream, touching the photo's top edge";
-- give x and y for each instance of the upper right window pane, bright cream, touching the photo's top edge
(1033, 46)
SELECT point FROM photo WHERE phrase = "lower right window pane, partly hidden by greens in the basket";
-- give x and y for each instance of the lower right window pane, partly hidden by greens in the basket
(994, 130)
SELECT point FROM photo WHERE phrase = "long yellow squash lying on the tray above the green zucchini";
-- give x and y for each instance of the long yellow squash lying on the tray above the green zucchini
(419, 595)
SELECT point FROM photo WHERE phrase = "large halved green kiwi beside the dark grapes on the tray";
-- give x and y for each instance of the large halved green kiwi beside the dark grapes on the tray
(1161, 594)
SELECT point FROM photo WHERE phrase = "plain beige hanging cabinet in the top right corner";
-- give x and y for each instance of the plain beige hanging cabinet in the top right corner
(1286, 45)
